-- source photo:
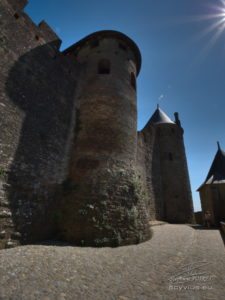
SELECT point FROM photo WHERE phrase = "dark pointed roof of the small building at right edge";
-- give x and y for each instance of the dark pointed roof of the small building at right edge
(216, 173)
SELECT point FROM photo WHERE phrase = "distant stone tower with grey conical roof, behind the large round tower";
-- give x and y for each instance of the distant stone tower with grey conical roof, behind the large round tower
(172, 200)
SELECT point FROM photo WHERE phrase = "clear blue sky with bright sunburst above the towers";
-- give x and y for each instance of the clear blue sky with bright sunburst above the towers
(182, 43)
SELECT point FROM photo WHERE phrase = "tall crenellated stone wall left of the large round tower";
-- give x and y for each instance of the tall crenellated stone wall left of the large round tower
(36, 124)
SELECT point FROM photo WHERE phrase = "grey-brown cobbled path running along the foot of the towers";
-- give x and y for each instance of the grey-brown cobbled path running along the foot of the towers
(179, 262)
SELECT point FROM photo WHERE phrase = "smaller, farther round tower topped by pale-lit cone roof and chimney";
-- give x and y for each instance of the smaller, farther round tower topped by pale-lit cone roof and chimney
(175, 183)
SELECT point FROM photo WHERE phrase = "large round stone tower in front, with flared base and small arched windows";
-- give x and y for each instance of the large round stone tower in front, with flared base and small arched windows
(104, 201)
